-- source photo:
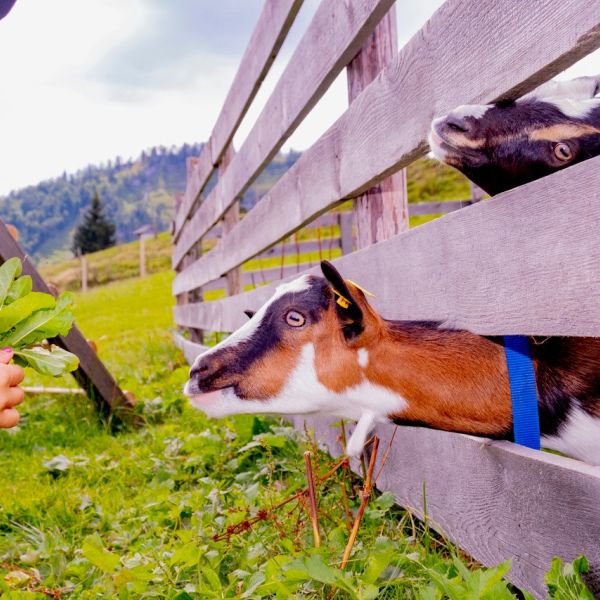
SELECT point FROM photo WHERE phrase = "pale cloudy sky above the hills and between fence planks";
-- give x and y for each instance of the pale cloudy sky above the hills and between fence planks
(87, 81)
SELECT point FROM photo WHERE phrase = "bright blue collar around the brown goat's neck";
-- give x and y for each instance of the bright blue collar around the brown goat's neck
(521, 376)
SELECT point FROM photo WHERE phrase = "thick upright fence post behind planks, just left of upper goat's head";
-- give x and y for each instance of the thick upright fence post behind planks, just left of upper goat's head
(382, 211)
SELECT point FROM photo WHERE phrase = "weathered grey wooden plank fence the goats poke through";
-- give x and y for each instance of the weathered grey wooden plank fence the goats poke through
(525, 262)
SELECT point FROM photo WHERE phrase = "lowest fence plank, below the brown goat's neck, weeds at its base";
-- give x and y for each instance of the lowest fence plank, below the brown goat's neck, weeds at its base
(496, 500)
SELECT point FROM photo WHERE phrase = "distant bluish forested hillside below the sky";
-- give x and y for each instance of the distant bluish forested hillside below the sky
(134, 192)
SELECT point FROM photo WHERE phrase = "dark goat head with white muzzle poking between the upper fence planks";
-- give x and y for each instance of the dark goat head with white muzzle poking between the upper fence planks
(503, 145)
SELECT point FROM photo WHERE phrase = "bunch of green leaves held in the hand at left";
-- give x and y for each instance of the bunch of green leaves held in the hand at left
(28, 319)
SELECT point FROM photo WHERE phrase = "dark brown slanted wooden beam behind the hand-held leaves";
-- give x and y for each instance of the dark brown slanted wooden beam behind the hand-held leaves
(92, 375)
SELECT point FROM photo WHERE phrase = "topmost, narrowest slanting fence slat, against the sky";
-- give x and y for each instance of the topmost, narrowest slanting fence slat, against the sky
(269, 34)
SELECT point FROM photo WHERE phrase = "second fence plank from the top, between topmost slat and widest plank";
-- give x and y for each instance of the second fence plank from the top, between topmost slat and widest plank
(334, 36)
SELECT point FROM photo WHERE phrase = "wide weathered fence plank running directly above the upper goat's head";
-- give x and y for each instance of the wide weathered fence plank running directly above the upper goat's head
(446, 64)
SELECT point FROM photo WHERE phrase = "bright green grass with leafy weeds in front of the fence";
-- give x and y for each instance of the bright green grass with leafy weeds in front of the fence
(87, 512)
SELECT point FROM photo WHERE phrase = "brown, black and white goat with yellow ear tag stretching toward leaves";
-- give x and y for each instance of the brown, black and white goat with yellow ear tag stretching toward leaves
(319, 347)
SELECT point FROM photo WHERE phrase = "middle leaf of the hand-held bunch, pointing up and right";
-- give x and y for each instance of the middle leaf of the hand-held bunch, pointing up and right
(42, 324)
